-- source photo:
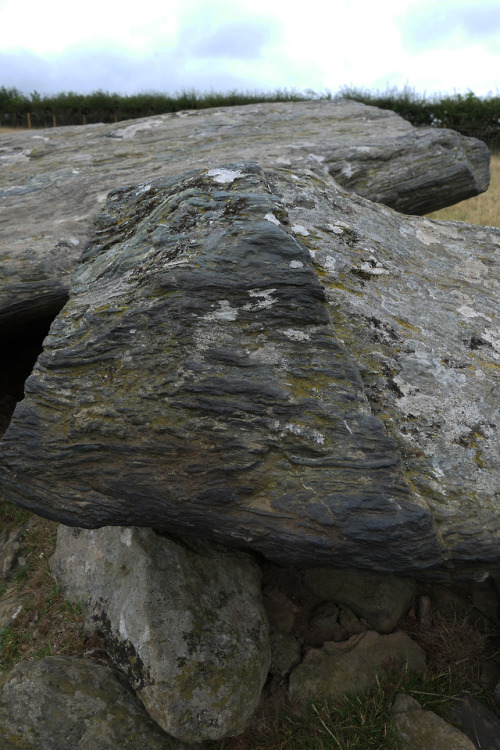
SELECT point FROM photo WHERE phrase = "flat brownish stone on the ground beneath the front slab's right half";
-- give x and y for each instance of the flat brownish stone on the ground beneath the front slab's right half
(352, 666)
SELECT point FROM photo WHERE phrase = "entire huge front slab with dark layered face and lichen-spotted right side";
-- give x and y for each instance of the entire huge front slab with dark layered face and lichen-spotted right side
(262, 359)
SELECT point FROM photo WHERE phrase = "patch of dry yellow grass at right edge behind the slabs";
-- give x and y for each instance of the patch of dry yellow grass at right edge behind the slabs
(484, 209)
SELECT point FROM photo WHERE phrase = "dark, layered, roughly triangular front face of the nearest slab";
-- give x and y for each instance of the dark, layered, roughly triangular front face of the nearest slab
(194, 382)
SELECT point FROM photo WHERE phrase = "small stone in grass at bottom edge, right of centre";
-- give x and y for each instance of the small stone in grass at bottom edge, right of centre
(425, 730)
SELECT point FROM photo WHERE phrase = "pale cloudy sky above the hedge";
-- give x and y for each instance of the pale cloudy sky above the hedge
(129, 46)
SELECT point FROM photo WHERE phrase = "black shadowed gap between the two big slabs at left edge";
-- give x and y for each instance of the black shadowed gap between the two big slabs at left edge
(19, 355)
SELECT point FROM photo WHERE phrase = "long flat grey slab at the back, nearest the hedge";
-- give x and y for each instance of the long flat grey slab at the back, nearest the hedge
(54, 182)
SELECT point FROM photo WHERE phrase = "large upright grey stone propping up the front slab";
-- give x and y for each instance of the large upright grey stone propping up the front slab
(184, 620)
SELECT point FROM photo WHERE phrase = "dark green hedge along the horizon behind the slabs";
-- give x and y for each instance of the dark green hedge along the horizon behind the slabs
(466, 113)
